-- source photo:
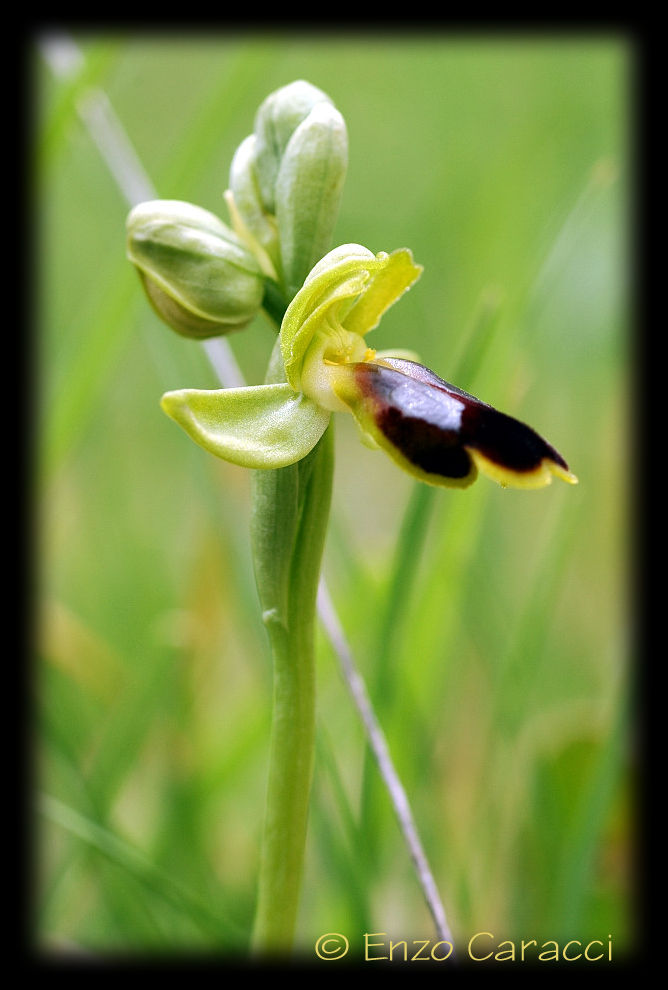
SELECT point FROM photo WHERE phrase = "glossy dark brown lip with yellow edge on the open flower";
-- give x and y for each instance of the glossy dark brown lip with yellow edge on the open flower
(443, 433)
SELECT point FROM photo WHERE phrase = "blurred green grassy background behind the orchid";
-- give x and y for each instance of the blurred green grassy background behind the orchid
(493, 627)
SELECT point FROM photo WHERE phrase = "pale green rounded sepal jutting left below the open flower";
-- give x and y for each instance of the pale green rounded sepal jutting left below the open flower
(260, 426)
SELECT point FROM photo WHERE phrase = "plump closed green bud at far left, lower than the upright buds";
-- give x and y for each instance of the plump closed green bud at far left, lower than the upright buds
(199, 277)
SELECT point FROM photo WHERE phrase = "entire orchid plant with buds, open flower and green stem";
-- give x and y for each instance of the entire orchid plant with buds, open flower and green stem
(204, 279)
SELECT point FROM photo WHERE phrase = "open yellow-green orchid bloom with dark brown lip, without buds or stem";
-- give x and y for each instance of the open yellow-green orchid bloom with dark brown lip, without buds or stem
(323, 364)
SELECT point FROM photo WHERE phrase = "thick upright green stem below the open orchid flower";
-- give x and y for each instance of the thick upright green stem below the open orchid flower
(289, 523)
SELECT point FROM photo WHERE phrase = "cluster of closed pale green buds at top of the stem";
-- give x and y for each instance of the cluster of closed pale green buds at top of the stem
(204, 278)
